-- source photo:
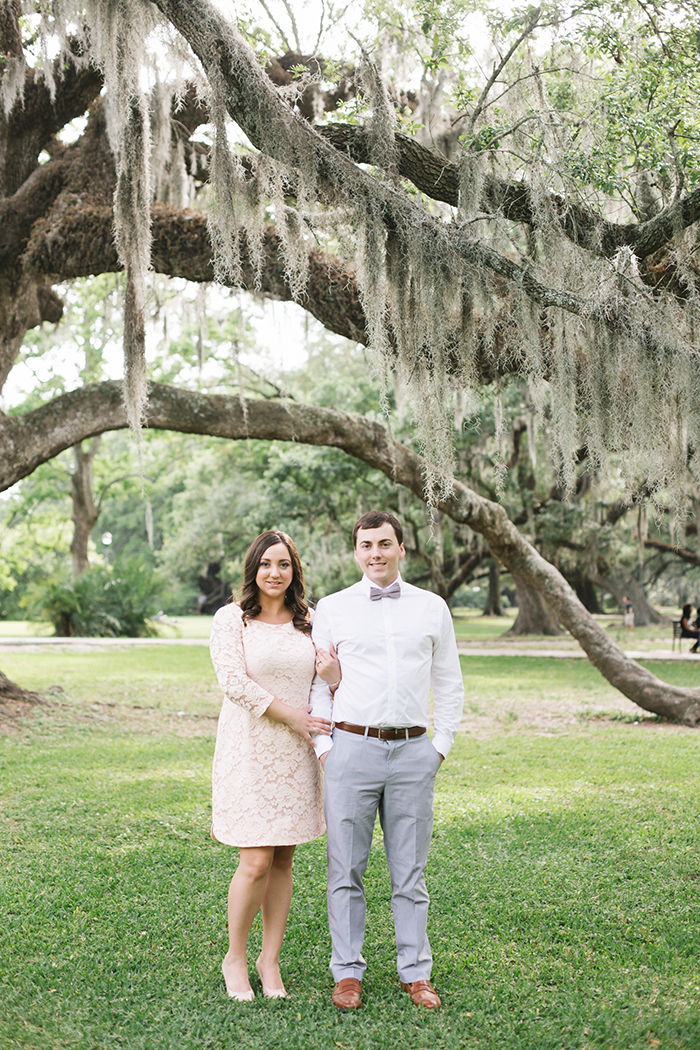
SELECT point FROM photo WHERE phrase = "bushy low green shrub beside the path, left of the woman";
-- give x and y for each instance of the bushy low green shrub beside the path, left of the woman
(115, 601)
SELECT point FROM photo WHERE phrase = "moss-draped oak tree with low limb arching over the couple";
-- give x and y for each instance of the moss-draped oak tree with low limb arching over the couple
(468, 215)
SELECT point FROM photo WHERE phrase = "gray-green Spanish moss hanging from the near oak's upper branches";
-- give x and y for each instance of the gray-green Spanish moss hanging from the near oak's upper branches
(618, 366)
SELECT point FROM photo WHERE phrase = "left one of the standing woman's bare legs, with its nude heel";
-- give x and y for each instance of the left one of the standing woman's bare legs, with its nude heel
(246, 895)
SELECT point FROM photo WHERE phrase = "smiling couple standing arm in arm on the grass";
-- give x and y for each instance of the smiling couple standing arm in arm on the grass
(377, 649)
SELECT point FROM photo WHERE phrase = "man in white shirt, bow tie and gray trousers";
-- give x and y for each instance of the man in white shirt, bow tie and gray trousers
(394, 642)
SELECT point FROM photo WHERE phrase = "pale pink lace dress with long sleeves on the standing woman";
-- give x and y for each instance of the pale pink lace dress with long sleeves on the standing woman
(267, 780)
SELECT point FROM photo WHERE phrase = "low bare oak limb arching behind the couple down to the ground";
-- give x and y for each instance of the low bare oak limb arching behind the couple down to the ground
(27, 442)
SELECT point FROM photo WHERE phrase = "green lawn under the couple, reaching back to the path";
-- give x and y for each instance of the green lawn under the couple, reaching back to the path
(564, 873)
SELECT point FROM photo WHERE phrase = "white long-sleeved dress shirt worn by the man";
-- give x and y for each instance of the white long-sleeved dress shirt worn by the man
(391, 652)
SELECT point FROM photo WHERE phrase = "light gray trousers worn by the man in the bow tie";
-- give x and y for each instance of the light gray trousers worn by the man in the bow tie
(395, 779)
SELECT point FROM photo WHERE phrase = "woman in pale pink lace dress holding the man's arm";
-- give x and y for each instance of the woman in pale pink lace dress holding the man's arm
(267, 790)
